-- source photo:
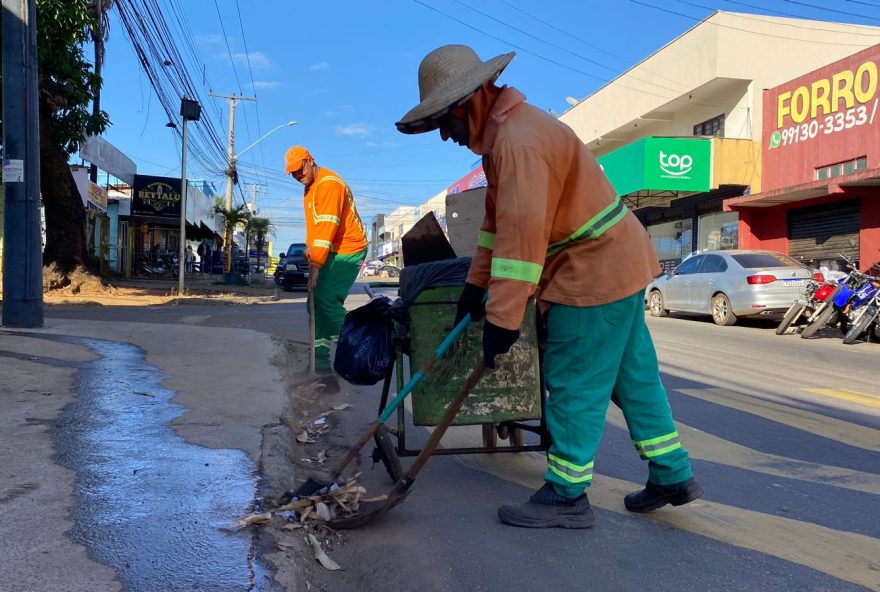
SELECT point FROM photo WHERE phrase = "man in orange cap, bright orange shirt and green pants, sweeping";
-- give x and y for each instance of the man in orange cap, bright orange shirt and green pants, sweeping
(336, 246)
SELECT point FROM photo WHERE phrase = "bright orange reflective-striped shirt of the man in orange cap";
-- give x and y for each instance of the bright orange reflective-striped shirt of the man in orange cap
(332, 222)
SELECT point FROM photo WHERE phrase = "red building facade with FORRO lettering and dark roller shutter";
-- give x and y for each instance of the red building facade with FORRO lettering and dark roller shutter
(820, 167)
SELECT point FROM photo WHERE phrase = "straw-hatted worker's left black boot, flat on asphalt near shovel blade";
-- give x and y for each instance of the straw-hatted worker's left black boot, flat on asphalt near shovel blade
(548, 509)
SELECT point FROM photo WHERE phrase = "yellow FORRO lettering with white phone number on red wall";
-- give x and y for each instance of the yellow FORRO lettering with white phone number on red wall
(829, 104)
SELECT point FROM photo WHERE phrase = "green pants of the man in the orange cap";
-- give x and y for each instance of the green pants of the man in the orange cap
(334, 282)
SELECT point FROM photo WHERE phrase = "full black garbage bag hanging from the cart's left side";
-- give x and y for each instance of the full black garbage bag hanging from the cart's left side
(365, 352)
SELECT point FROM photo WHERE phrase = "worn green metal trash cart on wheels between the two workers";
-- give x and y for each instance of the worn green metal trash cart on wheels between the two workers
(507, 403)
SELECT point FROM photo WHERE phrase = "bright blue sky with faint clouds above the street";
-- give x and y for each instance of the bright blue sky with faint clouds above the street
(346, 70)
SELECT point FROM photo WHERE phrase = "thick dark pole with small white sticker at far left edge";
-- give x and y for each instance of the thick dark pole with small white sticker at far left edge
(22, 256)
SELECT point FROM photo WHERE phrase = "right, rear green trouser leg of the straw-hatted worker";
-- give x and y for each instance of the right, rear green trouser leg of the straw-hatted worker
(641, 396)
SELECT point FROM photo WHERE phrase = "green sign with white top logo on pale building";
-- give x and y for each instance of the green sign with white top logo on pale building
(660, 164)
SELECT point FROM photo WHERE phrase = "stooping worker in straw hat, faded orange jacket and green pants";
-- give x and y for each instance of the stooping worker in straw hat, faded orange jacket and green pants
(554, 227)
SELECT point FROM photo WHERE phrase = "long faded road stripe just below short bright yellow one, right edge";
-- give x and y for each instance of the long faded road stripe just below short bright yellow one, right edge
(814, 423)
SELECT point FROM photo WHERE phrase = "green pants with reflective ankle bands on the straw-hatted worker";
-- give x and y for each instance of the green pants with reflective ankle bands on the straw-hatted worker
(598, 354)
